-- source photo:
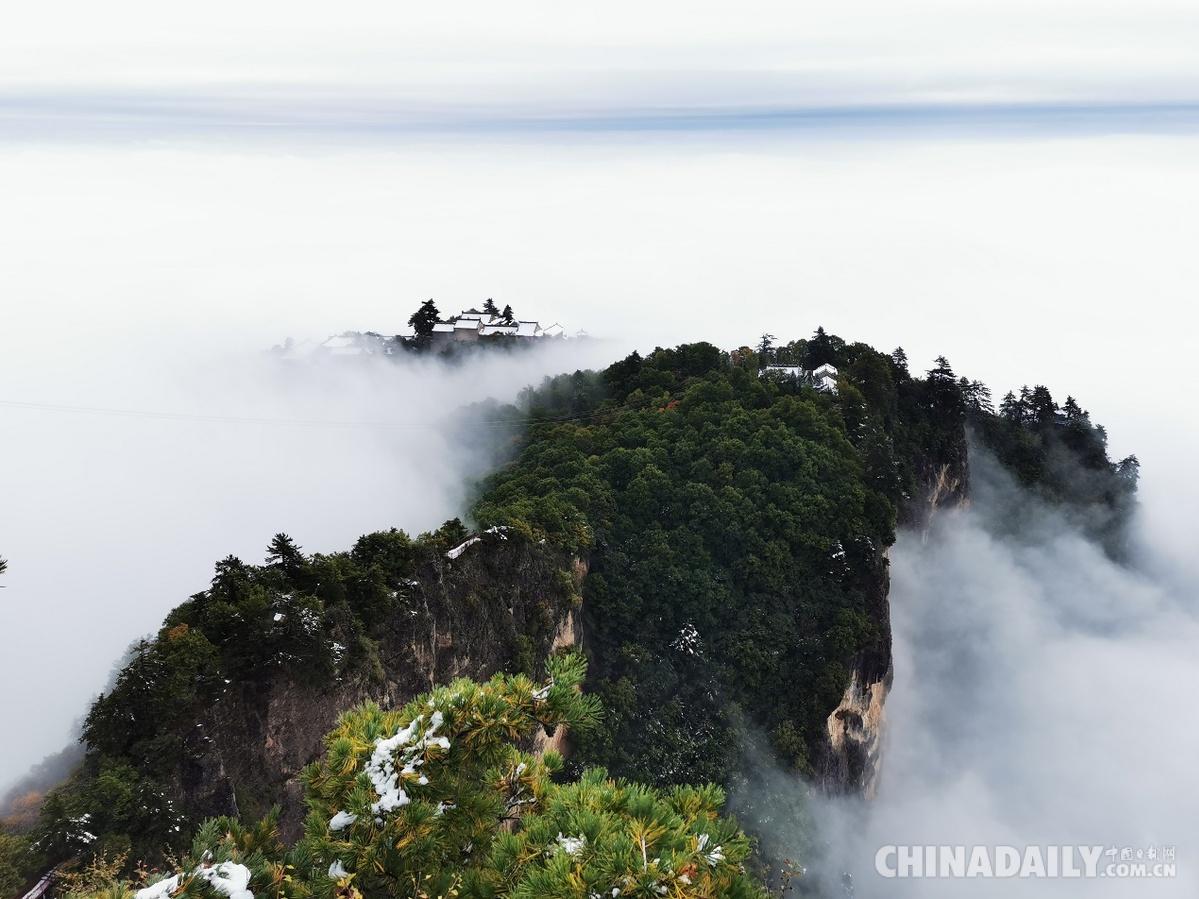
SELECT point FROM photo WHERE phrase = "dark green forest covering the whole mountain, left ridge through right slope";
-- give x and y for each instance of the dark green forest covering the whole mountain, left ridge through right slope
(733, 528)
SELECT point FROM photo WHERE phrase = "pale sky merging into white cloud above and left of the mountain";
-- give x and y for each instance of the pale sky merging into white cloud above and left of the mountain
(1011, 185)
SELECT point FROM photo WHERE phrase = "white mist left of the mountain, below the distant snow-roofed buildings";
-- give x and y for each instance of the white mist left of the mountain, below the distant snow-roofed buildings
(129, 474)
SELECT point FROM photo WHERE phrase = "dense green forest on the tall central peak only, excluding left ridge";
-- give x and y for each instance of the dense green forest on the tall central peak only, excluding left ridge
(736, 527)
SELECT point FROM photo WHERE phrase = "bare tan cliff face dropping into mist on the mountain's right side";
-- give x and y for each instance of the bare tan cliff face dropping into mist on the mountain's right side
(853, 753)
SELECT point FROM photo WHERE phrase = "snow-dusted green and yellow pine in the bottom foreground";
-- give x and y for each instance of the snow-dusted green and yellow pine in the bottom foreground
(438, 800)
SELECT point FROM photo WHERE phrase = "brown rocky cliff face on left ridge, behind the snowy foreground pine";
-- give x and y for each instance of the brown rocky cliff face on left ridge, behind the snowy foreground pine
(503, 605)
